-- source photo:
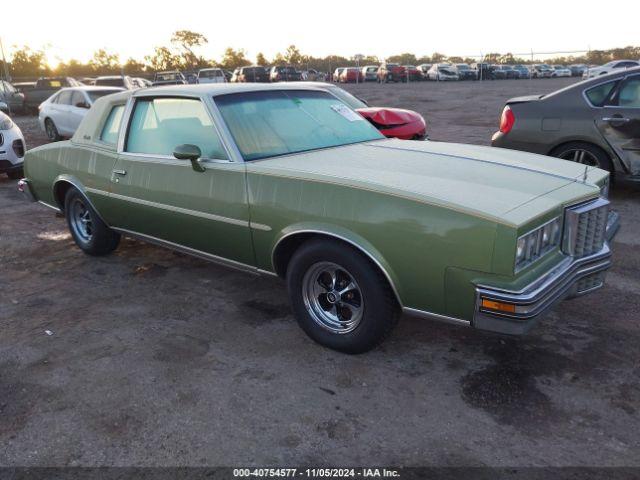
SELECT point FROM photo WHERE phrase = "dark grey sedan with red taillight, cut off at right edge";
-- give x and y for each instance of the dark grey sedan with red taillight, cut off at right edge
(595, 123)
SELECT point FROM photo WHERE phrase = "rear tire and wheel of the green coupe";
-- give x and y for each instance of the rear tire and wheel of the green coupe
(88, 230)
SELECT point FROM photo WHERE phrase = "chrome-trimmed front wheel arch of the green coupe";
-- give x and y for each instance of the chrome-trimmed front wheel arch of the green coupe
(290, 240)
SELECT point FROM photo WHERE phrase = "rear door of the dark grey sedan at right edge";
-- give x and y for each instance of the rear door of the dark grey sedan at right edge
(619, 122)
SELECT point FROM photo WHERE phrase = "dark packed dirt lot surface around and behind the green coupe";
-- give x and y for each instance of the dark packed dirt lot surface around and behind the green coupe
(156, 358)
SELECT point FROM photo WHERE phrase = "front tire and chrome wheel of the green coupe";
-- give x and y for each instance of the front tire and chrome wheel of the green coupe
(363, 316)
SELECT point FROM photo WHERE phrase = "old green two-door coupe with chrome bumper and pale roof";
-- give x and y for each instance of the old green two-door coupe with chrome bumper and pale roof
(287, 180)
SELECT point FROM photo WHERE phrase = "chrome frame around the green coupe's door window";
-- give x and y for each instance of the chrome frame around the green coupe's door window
(212, 112)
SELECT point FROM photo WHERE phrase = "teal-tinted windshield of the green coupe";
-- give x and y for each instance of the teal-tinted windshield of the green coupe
(270, 123)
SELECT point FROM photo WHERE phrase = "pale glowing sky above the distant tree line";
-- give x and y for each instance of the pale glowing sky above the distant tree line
(73, 29)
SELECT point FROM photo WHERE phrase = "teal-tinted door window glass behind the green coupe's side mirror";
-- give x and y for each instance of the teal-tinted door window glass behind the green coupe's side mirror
(159, 125)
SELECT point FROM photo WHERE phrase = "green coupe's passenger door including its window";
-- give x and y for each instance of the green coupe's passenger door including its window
(168, 200)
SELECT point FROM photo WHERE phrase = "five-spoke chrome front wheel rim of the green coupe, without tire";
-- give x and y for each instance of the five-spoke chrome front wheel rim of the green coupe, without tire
(332, 297)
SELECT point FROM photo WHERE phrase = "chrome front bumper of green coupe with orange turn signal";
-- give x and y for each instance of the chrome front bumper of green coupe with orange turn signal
(571, 278)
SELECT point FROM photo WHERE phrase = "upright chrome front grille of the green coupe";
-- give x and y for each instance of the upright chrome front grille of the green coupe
(585, 228)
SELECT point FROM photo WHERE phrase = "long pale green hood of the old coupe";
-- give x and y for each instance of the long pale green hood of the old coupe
(484, 181)
